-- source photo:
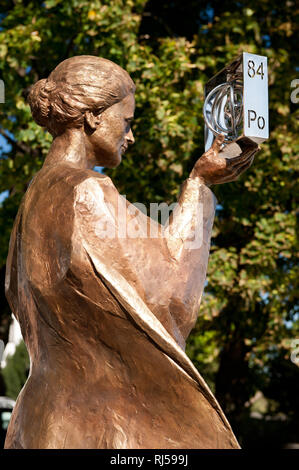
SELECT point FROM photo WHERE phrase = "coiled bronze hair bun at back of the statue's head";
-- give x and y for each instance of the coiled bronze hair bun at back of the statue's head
(39, 100)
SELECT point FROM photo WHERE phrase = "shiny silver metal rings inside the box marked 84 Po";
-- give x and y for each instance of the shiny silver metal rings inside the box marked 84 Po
(226, 110)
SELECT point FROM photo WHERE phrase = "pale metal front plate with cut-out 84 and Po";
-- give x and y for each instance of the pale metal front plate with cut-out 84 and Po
(255, 97)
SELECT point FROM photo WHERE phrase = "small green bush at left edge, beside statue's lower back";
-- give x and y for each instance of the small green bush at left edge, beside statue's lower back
(16, 371)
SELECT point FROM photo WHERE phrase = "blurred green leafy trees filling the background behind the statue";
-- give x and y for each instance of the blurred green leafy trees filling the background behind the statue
(248, 317)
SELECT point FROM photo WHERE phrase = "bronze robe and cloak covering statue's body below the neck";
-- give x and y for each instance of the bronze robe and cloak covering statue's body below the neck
(105, 310)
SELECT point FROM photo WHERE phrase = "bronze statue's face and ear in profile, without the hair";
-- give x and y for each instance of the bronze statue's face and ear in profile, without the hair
(109, 134)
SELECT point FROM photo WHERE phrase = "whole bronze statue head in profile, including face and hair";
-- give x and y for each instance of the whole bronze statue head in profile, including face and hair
(92, 94)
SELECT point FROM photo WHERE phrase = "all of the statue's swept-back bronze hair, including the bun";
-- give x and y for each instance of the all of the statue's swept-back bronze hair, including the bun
(78, 84)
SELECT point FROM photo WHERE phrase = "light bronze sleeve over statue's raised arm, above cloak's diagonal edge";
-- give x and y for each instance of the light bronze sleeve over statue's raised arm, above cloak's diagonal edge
(165, 264)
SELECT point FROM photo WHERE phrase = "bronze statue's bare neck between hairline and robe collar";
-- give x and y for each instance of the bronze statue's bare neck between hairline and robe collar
(70, 148)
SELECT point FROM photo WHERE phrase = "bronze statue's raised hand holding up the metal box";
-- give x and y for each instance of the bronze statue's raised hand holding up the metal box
(213, 168)
